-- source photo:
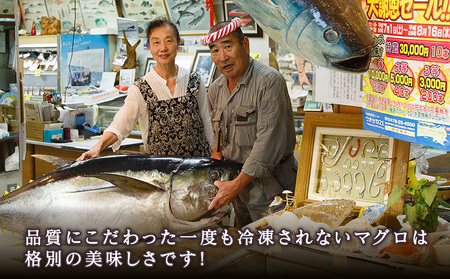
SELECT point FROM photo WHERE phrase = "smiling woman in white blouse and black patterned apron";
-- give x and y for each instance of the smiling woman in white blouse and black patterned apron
(169, 102)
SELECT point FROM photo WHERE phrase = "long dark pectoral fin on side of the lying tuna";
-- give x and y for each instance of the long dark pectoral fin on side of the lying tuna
(128, 183)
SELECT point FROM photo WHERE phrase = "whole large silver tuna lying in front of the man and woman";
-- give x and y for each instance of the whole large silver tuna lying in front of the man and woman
(143, 193)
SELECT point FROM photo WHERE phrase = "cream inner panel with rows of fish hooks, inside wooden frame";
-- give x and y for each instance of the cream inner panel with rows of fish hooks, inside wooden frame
(352, 164)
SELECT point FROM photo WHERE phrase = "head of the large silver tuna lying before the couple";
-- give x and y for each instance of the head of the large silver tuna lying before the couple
(193, 188)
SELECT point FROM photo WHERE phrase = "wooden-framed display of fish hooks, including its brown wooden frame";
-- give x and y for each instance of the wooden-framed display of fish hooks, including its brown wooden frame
(318, 167)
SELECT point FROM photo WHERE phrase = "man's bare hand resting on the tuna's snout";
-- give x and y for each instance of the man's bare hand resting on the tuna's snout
(228, 190)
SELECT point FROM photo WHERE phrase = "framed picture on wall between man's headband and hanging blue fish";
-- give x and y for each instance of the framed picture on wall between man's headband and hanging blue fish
(249, 26)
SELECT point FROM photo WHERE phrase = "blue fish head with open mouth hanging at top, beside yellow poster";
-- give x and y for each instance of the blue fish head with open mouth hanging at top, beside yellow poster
(331, 33)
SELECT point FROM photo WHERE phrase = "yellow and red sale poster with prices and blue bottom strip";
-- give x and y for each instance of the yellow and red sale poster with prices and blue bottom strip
(406, 92)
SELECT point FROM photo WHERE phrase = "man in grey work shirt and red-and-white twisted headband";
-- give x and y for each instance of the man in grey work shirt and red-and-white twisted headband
(251, 111)
